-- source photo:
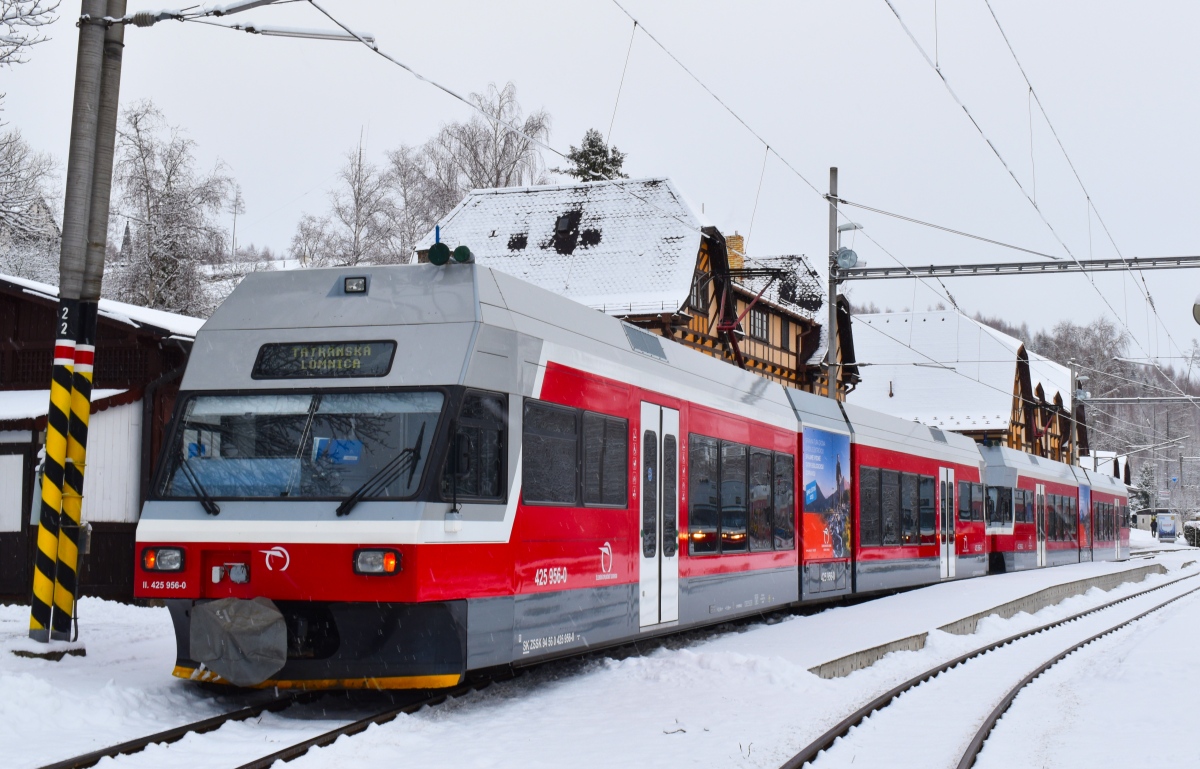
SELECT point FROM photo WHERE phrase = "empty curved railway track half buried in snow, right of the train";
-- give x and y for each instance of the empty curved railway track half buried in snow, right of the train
(945, 708)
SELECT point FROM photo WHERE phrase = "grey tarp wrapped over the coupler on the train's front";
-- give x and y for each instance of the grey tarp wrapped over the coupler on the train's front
(245, 642)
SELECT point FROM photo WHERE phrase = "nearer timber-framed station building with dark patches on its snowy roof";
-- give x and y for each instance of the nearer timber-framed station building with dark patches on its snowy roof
(639, 250)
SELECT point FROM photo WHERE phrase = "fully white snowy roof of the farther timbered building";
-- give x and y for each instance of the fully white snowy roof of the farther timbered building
(945, 370)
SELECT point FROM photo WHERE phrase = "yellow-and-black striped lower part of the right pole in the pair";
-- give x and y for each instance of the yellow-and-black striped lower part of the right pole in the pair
(67, 576)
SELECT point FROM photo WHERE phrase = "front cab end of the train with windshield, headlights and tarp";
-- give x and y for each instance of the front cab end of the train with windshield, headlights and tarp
(307, 474)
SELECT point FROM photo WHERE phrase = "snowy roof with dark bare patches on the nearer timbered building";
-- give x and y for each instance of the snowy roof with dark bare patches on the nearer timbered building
(622, 248)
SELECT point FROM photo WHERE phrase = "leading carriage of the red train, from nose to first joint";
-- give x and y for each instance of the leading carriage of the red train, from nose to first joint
(451, 470)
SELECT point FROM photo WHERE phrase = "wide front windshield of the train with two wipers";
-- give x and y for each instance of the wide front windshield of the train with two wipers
(314, 446)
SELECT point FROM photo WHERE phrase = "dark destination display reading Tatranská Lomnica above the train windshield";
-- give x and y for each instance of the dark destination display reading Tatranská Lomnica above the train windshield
(323, 361)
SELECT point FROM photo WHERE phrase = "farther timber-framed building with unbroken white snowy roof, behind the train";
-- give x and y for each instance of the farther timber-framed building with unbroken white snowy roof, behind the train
(949, 371)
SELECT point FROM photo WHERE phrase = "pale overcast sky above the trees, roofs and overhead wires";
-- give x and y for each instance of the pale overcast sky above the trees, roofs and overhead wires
(825, 83)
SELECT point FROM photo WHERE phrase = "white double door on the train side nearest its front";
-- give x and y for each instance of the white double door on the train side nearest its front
(659, 486)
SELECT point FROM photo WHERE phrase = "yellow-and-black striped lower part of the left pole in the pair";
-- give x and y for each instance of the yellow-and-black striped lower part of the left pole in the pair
(53, 471)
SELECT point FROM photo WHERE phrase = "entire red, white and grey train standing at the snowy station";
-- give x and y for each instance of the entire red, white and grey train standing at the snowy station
(395, 477)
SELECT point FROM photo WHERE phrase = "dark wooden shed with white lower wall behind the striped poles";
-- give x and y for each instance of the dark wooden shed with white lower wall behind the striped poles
(140, 359)
